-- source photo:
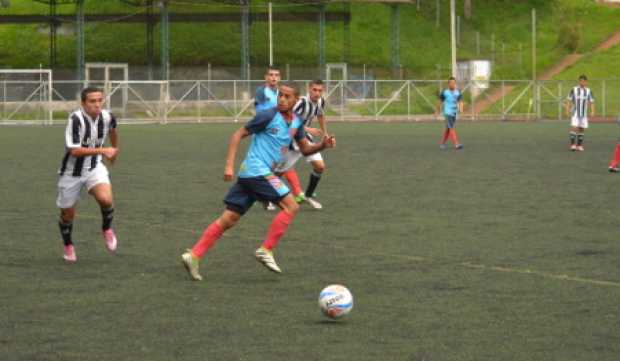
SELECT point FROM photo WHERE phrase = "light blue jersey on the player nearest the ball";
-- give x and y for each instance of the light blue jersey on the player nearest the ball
(272, 136)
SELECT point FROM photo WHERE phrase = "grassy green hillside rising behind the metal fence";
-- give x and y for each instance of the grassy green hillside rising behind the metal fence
(504, 27)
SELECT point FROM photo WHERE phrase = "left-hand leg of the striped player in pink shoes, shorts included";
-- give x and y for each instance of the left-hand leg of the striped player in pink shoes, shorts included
(68, 196)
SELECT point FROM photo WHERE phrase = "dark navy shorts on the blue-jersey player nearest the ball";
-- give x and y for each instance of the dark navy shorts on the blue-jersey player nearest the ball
(246, 191)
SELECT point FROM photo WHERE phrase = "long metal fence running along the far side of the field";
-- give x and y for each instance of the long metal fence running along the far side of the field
(34, 102)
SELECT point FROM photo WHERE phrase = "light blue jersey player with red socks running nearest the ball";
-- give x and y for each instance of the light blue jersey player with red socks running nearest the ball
(272, 132)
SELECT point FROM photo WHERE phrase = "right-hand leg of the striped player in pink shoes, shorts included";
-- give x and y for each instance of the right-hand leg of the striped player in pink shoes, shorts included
(98, 184)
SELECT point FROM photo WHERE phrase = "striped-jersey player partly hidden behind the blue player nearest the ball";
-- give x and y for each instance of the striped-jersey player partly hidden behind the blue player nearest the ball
(308, 108)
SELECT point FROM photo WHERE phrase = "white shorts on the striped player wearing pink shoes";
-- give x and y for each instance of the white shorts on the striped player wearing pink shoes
(69, 187)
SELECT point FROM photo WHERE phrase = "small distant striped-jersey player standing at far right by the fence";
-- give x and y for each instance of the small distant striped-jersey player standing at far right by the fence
(579, 103)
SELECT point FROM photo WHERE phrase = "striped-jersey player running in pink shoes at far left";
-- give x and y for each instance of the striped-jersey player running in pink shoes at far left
(82, 167)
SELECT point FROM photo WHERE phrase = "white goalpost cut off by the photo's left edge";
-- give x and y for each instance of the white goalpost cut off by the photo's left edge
(26, 96)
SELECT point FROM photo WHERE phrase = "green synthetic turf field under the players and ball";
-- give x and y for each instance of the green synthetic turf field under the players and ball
(507, 250)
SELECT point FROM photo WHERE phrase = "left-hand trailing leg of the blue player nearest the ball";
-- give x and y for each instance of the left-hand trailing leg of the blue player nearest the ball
(238, 201)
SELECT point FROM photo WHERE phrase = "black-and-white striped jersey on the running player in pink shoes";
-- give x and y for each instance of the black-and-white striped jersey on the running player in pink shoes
(83, 131)
